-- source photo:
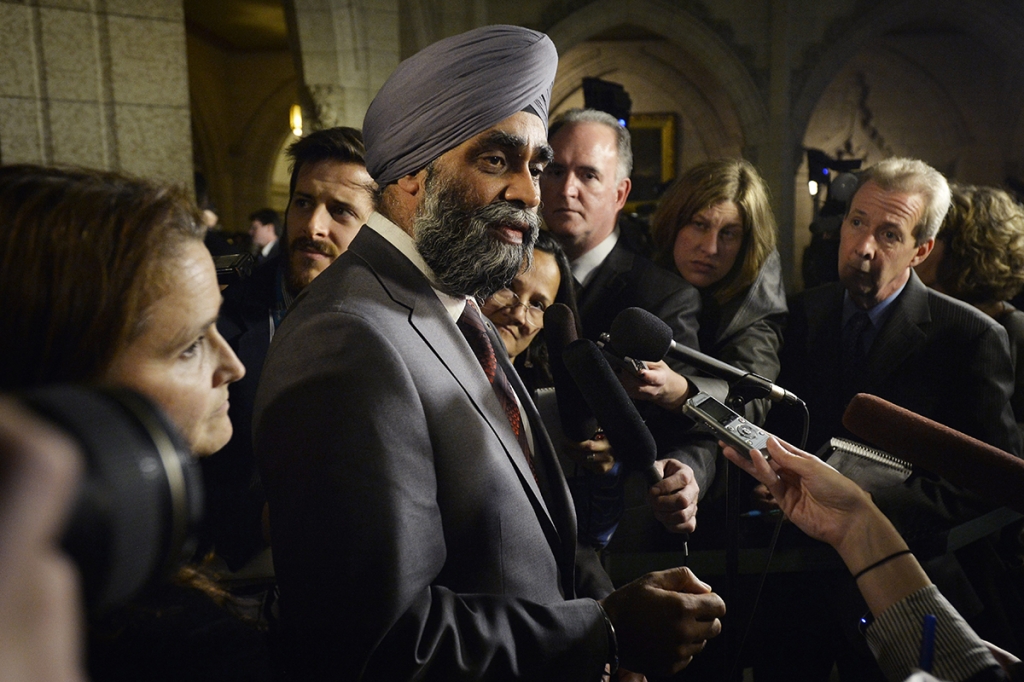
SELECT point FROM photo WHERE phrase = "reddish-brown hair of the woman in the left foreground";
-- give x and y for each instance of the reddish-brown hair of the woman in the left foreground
(82, 257)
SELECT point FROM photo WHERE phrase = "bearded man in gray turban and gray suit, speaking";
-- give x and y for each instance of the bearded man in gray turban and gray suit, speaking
(420, 524)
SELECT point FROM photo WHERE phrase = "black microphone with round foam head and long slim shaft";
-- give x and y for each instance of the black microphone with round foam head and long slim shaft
(638, 334)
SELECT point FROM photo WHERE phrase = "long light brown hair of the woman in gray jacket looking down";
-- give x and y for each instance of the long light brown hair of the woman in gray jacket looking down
(704, 186)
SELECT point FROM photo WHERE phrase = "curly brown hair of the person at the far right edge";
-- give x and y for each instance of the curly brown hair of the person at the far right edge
(984, 234)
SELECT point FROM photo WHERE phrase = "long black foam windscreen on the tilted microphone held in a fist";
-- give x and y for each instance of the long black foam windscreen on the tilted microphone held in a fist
(616, 413)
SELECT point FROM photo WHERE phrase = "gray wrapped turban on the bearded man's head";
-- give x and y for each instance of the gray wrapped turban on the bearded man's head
(453, 91)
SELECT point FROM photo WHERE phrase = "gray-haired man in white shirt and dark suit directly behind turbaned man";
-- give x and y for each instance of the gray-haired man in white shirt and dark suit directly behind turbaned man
(583, 190)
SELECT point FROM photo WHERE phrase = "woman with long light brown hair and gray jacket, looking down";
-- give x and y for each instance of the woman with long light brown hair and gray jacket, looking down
(715, 228)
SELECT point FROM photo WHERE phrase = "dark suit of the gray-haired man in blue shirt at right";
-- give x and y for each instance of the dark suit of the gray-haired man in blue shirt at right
(936, 357)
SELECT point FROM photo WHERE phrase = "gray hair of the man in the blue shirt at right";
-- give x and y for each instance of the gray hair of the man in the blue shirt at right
(915, 178)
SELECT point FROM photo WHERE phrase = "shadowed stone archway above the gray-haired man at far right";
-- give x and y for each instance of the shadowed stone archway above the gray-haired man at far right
(936, 81)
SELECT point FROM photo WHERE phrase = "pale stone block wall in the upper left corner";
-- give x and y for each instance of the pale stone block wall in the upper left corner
(97, 84)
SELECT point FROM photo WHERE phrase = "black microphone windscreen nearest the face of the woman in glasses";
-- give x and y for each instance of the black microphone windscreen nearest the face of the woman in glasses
(574, 413)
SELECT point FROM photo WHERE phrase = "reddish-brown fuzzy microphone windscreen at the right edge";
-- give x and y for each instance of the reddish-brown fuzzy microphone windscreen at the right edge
(955, 456)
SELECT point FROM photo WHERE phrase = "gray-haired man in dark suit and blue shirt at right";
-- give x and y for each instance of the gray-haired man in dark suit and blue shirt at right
(879, 330)
